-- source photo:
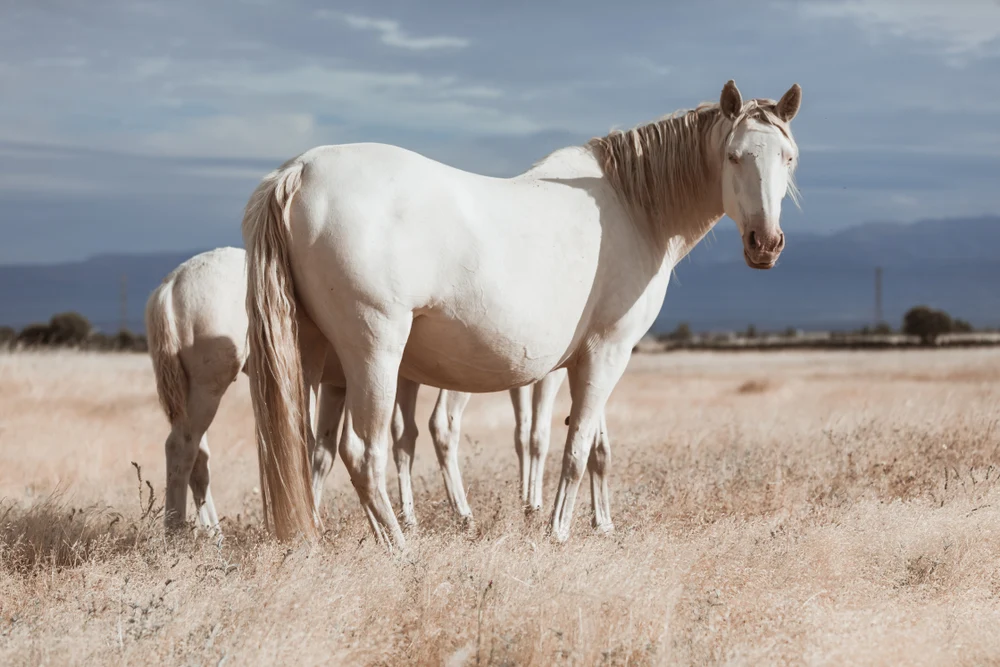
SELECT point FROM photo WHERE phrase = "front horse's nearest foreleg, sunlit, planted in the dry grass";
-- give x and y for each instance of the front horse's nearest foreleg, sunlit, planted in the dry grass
(591, 381)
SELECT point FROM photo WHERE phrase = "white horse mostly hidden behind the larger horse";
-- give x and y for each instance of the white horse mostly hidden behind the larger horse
(197, 328)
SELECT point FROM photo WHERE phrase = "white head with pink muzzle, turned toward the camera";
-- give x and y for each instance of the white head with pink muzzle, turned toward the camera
(760, 158)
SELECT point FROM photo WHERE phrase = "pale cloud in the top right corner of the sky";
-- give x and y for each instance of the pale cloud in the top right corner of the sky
(970, 28)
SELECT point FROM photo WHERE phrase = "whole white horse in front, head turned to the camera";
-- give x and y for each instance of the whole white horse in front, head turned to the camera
(410, 267)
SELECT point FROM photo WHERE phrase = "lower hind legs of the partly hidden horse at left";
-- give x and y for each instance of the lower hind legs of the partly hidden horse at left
(187, 445)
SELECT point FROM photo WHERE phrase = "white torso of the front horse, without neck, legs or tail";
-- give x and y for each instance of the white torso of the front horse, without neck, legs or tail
(479, 262)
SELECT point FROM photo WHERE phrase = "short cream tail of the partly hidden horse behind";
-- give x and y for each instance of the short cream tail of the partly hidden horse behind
(164, 350)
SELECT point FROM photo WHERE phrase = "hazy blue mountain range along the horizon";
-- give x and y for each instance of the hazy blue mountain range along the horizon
(822, 282)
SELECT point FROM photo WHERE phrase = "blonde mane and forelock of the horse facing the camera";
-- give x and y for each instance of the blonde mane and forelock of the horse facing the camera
(666, 171)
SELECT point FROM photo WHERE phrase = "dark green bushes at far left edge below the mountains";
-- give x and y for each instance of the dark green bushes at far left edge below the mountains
(70, 330)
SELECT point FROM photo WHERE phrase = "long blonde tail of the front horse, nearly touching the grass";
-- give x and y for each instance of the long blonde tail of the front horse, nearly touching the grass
(275, 364)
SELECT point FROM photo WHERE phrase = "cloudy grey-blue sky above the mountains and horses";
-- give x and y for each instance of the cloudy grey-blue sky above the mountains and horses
(144, 126)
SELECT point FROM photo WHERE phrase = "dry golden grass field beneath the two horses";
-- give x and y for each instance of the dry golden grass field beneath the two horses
(770, 508)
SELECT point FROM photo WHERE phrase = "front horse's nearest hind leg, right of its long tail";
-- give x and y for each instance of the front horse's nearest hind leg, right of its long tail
(372, 372)
